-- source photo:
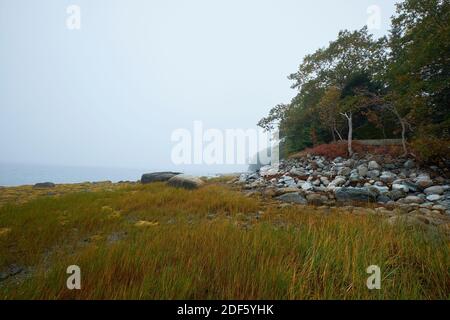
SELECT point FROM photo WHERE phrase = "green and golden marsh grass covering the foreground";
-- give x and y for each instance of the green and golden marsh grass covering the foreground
(156, 242)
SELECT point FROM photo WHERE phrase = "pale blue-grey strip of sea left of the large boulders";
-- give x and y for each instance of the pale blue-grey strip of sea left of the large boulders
(25, 174)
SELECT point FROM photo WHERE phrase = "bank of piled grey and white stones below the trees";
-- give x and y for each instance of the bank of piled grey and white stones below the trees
(390, 182)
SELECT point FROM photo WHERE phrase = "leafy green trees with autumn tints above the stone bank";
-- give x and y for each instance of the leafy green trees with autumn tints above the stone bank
(397, 86)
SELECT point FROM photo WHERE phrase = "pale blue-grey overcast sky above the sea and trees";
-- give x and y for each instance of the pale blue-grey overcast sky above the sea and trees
(111, 93)
